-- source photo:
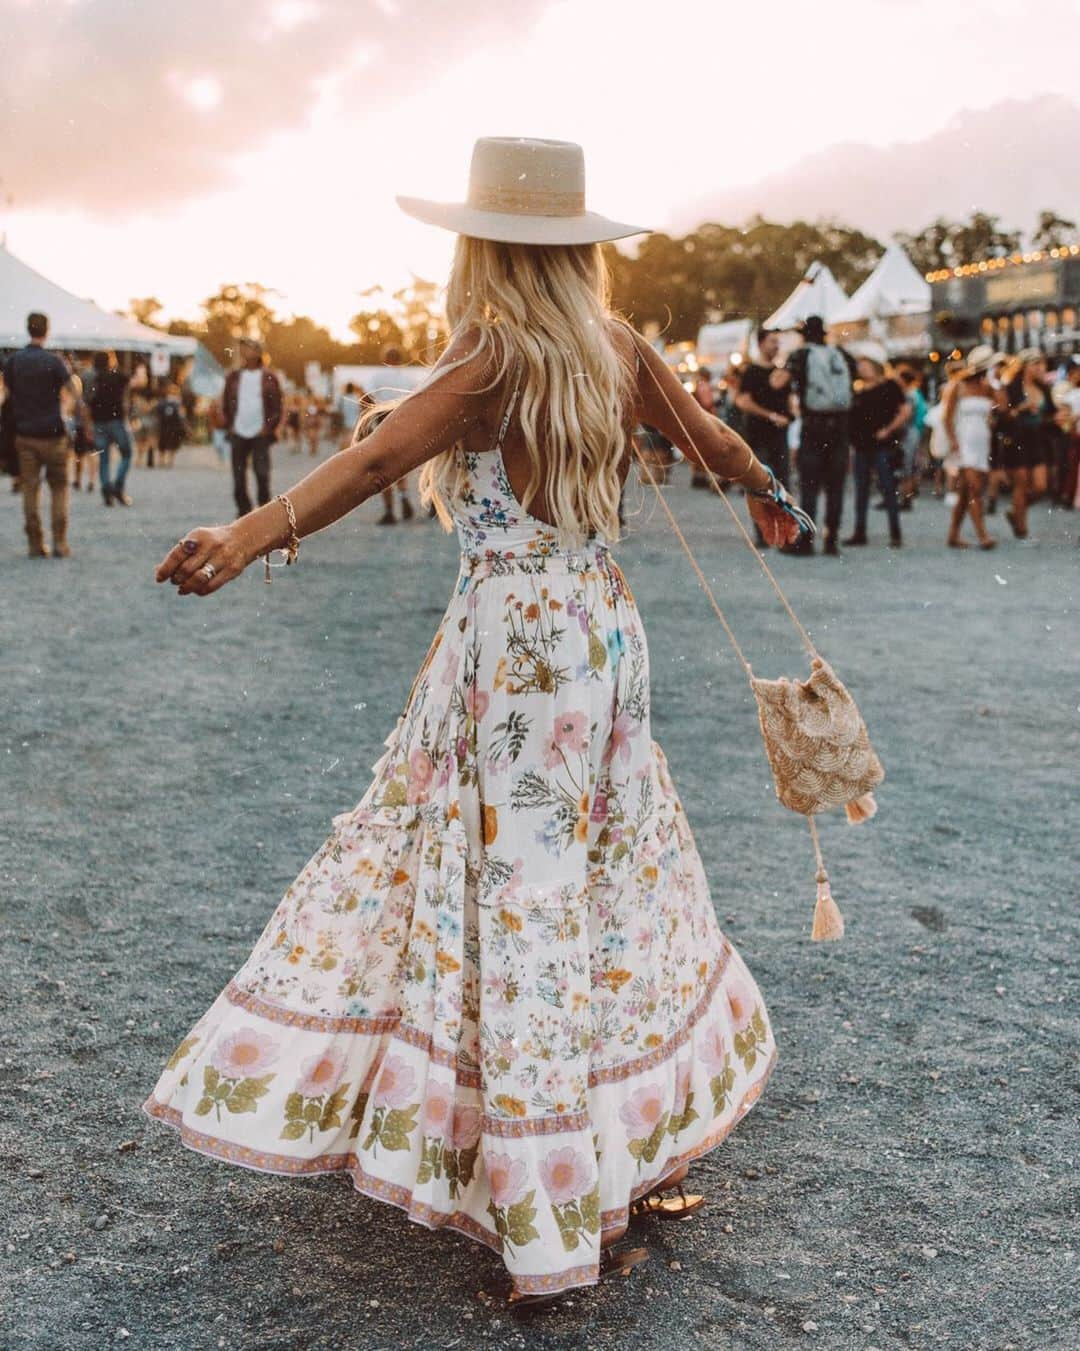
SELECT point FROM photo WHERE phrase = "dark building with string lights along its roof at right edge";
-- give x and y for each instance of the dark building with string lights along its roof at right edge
(1025, 301)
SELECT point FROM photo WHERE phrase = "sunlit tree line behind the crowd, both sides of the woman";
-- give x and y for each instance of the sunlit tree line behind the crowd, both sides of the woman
(674, 283)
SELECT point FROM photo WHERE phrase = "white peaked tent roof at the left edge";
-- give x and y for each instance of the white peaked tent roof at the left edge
(74, 325)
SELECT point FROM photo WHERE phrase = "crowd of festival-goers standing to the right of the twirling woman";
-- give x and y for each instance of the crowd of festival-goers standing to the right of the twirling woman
(997, 425)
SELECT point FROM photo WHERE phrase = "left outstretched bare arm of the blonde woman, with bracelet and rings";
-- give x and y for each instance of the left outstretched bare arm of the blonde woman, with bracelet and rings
(426, 424)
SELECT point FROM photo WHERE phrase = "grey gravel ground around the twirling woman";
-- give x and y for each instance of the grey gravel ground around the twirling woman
(909, 1177)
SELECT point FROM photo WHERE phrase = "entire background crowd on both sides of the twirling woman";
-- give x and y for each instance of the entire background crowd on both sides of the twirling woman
(997, 426)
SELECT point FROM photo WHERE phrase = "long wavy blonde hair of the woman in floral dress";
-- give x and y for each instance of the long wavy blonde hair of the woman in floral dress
(544, 310)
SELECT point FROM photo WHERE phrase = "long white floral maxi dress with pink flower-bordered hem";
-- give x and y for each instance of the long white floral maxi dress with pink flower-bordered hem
(498, 996)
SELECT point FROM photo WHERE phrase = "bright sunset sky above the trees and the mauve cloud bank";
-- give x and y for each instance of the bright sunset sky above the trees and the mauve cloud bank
(159, 148)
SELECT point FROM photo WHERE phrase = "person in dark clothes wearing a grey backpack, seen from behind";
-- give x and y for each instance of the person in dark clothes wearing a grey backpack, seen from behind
(823, 378)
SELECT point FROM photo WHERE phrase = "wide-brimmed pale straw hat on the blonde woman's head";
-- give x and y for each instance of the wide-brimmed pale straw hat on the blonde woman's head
(524, 193)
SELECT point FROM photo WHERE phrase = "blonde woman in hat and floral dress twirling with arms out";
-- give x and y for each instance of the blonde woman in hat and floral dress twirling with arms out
(498, 995)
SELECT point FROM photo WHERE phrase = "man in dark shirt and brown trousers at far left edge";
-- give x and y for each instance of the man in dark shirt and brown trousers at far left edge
(34, 380)
